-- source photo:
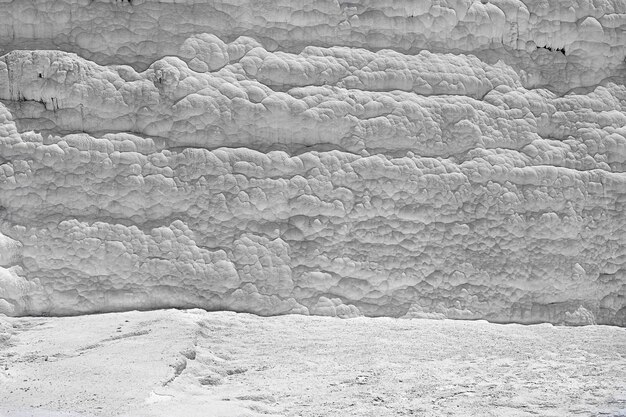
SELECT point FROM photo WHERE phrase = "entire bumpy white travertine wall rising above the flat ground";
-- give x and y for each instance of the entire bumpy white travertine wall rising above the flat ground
(461, 159)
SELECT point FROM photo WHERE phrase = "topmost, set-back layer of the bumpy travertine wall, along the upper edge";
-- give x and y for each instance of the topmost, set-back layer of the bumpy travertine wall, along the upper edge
(558, 44)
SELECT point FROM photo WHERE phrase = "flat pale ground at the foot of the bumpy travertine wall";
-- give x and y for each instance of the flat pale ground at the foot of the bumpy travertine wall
(194, 363)
